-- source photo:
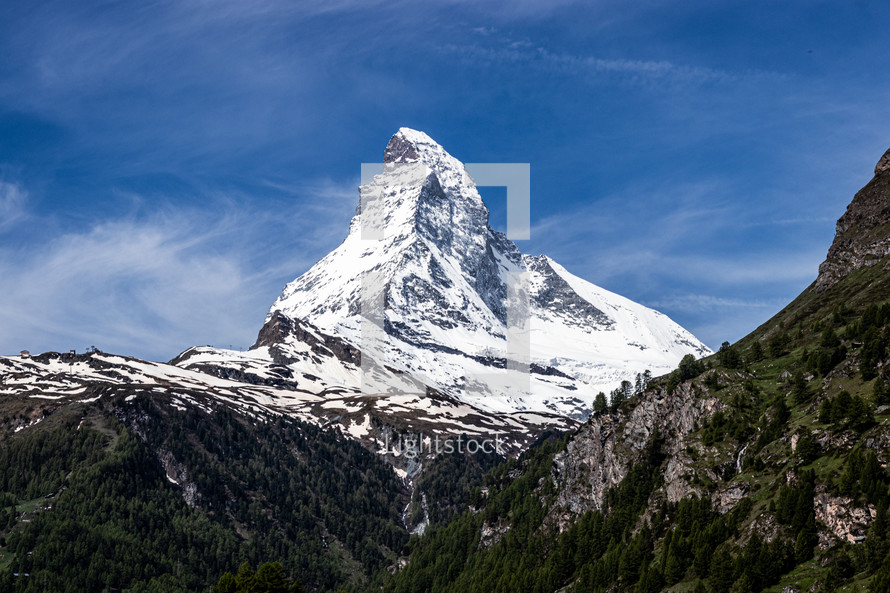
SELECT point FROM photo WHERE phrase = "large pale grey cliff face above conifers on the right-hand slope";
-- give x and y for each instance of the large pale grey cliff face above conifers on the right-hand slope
(604, 449)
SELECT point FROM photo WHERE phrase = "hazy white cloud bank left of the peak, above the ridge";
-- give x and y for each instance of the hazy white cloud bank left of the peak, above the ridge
(152, 286)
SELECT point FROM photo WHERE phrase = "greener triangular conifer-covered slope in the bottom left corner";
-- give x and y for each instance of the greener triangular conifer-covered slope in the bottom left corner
(116, 524)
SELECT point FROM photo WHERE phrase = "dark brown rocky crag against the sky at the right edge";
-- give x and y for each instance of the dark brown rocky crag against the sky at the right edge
(863, 232)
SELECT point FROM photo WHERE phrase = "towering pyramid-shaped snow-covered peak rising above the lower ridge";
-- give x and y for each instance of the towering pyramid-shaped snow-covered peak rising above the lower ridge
(446, 284)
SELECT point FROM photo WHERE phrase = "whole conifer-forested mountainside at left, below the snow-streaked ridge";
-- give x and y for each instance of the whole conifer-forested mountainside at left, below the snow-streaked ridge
(266, 489)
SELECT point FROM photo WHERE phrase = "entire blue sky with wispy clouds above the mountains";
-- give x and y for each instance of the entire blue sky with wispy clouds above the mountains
(166, 167)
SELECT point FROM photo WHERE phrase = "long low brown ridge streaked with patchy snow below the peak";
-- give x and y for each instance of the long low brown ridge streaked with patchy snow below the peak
(251, 384)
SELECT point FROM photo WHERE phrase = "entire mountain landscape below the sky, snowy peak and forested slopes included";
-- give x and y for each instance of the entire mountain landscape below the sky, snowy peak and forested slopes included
(310, 457)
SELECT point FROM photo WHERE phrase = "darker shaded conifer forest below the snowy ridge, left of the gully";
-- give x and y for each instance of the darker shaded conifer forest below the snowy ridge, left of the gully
(313, 498)
